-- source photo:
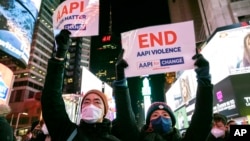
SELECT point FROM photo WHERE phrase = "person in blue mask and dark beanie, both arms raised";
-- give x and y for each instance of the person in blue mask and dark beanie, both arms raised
(160, 120)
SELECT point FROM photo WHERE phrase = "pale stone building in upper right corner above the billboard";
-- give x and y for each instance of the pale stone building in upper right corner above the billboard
(218, 13)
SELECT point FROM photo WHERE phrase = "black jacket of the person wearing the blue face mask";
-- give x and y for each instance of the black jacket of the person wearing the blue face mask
(198, 130)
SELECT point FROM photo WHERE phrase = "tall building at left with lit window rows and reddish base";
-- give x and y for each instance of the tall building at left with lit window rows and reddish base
(28, 83)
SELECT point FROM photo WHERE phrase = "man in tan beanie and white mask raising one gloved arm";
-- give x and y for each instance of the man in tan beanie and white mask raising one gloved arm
(93, 126)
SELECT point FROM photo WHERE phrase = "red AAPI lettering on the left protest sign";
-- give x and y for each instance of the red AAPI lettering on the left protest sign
(68, 9)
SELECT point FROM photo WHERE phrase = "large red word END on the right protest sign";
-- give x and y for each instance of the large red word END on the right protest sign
(151, 39)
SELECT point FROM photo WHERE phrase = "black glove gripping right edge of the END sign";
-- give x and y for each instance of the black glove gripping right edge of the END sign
(202, 65)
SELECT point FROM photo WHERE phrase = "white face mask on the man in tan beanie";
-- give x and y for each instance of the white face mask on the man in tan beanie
(91, 113)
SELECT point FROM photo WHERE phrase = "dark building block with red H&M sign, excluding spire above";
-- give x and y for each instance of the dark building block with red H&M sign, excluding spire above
(104, 53)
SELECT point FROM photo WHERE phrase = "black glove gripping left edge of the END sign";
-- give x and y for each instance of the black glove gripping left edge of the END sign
(120, 65)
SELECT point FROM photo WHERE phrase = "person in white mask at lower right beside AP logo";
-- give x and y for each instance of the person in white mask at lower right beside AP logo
(219, 130)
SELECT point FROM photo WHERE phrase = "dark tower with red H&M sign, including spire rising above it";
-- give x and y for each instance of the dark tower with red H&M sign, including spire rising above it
(104, 47)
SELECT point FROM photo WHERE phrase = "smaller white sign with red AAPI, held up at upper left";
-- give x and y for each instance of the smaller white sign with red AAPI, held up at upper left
(80, 17)
